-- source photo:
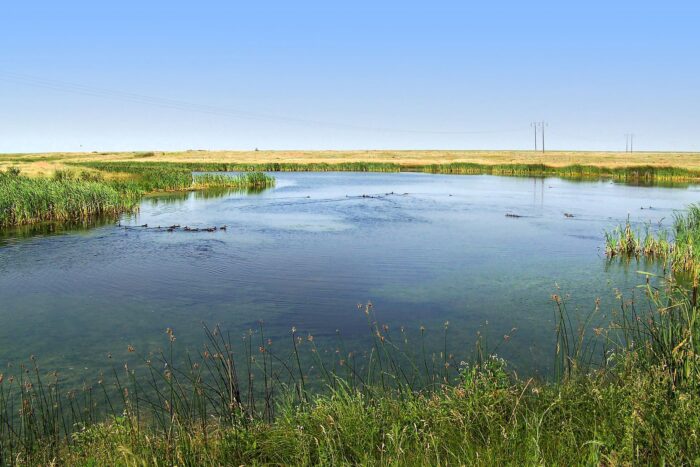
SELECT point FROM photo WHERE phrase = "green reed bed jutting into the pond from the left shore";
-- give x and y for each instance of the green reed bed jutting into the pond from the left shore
(72, 195)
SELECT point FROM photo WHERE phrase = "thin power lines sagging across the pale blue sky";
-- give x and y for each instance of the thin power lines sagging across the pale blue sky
(75, 88)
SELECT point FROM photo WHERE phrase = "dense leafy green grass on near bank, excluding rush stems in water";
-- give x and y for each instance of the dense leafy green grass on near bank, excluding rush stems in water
(480, 421)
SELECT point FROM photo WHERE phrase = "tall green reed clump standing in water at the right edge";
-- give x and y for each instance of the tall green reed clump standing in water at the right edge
(669, 338)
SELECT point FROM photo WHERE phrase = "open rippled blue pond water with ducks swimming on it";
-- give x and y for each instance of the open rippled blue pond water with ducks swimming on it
(304, 254)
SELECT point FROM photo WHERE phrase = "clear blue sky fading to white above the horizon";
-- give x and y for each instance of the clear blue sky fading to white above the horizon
(157, 75)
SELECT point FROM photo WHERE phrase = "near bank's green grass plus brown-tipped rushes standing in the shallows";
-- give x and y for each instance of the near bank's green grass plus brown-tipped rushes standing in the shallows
(396, 405)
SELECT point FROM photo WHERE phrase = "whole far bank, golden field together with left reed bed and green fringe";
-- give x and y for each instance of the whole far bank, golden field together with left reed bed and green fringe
(73, 187)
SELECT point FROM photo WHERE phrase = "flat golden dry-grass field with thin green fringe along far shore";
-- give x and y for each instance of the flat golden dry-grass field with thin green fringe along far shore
(669, 166)
